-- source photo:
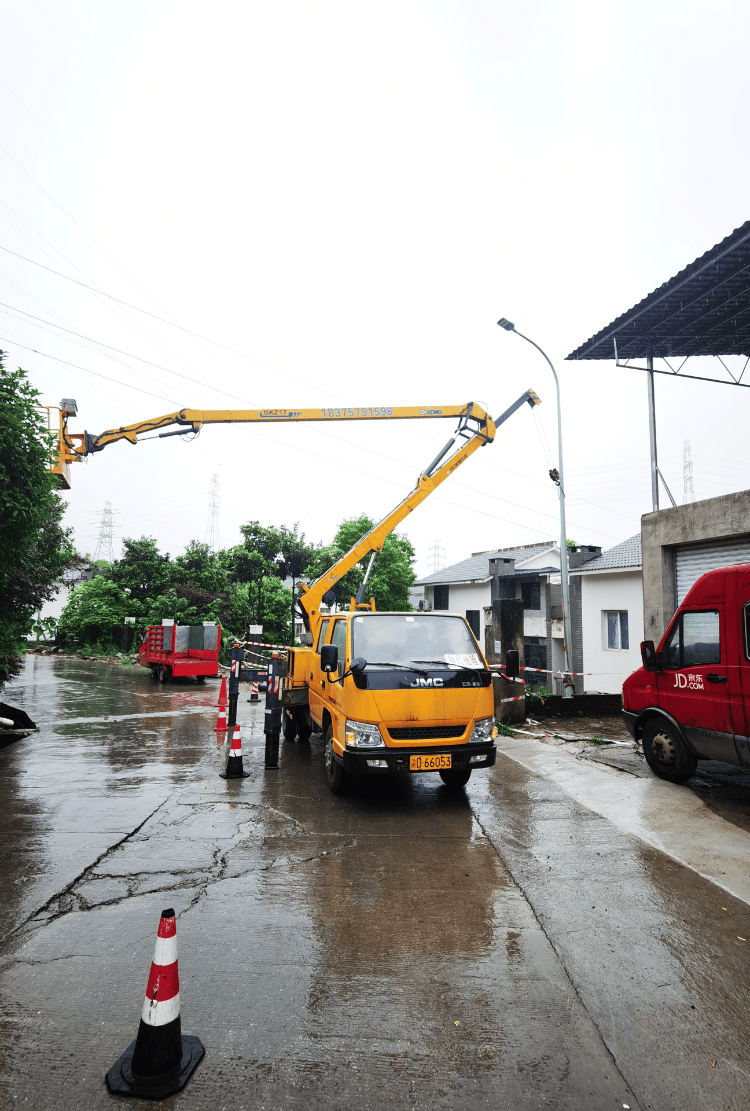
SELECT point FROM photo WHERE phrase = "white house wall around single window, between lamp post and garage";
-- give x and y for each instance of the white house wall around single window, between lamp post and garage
(622, 590)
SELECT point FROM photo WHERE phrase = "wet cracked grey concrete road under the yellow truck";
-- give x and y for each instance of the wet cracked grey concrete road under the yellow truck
(509, 947)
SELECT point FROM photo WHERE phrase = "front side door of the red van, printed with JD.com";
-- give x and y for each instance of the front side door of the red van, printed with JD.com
(694, 685)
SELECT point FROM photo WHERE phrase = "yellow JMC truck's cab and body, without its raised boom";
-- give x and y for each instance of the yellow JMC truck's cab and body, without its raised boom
(394, 694)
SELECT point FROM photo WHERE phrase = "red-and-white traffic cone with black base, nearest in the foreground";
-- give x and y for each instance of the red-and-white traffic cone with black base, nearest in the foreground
(163, 1059)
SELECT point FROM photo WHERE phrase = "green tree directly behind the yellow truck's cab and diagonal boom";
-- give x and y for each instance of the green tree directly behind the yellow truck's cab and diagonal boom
(393, 575)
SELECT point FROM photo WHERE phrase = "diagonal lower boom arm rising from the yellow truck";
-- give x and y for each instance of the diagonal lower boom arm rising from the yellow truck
(429, 481)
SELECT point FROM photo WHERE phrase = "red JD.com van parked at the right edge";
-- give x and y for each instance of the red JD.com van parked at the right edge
(691, 702)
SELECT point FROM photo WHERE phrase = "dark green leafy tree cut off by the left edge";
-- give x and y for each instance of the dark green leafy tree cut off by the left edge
(35, 549)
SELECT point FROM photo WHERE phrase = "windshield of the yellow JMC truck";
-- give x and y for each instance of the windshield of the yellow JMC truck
(406, 638)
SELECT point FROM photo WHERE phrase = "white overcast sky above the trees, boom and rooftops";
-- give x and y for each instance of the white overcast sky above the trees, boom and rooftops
(342, 199)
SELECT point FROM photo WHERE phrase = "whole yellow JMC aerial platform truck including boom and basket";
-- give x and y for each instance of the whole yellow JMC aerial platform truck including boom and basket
(392, 694)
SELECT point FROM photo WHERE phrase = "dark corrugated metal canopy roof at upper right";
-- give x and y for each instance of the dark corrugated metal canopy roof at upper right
(705, 309)
